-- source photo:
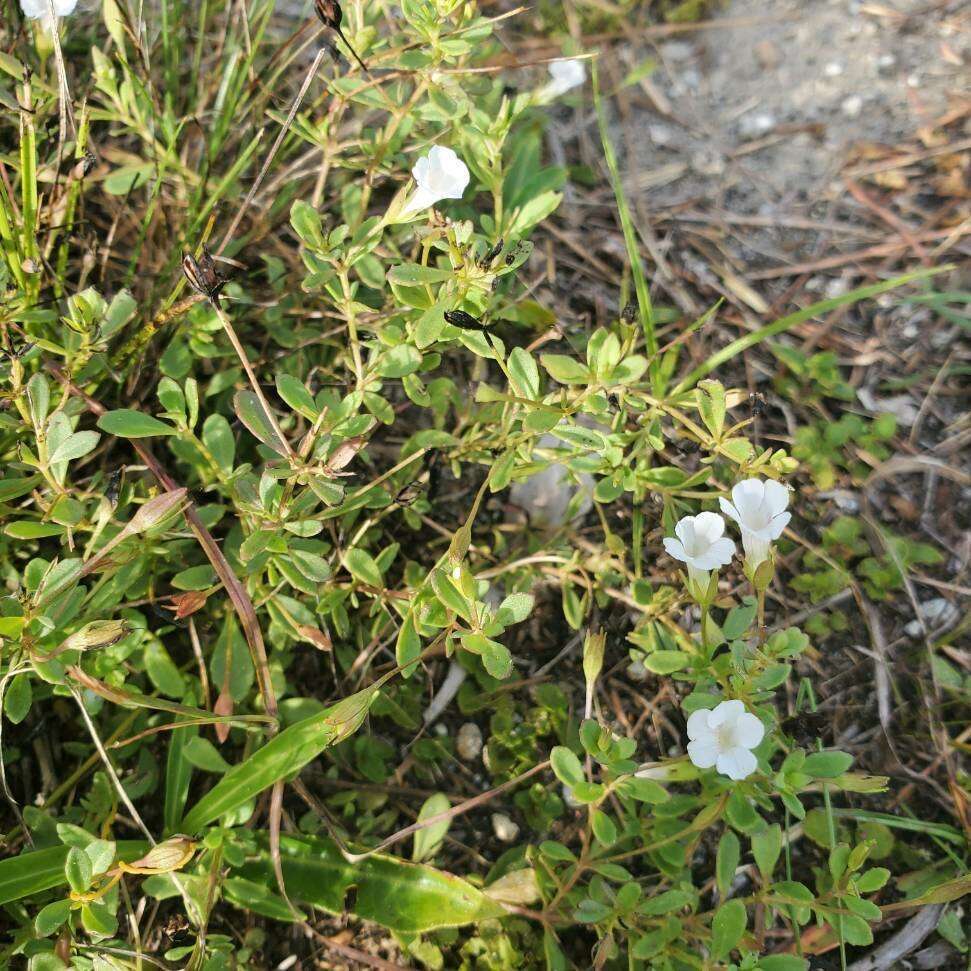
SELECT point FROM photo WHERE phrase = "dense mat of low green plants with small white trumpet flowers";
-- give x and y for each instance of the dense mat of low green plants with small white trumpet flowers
(321, 535)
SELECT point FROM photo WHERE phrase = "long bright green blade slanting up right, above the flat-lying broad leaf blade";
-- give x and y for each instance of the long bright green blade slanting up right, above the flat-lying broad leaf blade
(284, 755)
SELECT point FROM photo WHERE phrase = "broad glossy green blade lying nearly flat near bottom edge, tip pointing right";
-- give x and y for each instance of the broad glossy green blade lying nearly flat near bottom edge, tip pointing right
(408, 898)
